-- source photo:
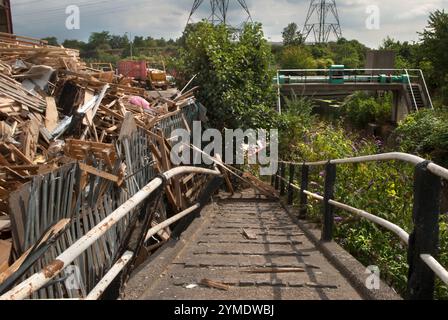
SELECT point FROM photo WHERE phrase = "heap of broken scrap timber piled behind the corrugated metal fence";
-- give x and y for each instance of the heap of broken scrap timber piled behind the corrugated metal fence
(54, 110)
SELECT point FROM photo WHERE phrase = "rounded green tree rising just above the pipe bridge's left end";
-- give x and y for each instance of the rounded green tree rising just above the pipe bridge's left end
(297, 57)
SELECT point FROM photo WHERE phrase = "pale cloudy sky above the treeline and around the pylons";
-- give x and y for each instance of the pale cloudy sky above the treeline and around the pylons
(399, 19)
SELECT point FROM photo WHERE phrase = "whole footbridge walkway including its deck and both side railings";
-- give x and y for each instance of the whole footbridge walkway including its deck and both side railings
(251, 245)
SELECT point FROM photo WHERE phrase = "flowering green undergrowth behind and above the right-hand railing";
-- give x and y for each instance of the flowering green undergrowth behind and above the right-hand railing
(383, 189)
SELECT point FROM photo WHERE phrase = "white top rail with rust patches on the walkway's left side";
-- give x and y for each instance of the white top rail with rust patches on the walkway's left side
(38, 280)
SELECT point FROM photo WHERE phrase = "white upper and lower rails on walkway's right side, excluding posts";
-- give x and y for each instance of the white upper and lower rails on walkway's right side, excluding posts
(437, 170)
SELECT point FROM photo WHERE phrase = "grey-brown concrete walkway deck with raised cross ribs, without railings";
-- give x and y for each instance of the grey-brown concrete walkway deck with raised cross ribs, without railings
(215, 248)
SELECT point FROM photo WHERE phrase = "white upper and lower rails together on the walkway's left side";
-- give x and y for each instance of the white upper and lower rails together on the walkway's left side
(38, 280)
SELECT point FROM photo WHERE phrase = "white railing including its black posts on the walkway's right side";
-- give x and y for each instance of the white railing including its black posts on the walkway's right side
(426, 211)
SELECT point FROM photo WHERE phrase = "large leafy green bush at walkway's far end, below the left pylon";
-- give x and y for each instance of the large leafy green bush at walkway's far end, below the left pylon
(235, 76)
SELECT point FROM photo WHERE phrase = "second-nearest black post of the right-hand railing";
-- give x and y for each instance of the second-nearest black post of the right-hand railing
(330, 180)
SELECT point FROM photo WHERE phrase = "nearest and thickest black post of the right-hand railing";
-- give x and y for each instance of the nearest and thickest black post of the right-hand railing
(425, 237)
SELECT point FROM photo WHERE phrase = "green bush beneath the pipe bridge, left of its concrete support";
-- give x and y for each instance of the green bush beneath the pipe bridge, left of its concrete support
(361, 108)
